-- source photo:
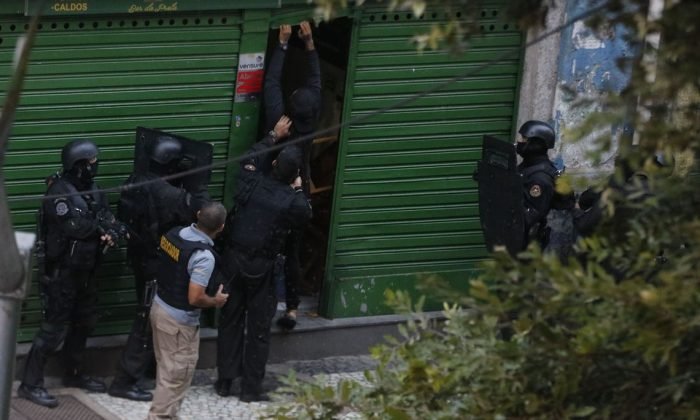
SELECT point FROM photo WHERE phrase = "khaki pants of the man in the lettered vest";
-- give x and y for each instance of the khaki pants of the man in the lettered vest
(176, 348)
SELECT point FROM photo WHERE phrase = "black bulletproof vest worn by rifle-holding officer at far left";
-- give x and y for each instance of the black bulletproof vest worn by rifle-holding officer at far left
(56, 242)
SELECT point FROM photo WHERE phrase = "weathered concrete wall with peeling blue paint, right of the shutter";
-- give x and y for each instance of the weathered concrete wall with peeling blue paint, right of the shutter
(578, 65)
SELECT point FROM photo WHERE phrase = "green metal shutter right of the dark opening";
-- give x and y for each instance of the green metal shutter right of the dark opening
(405, 203)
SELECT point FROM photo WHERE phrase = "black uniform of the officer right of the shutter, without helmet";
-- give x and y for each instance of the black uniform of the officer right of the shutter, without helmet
(539, 175)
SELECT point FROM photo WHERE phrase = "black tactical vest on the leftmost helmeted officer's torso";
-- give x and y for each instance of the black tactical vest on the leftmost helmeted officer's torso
(57, 244)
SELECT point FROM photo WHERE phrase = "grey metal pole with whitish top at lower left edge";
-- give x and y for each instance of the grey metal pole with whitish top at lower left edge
(10, 307)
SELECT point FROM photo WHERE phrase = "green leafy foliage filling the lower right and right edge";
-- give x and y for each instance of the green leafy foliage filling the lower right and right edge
(611, 333)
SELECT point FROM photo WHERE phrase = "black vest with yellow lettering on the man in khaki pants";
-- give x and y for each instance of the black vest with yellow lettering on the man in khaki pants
(173, 278)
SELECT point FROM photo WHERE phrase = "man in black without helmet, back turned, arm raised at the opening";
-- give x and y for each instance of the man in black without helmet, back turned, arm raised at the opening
(267, 208)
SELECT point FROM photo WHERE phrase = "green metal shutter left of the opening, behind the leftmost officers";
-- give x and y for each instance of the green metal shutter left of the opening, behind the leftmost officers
(101, 78)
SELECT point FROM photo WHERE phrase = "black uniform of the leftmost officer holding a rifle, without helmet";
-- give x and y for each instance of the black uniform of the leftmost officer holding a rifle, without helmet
(69, 290)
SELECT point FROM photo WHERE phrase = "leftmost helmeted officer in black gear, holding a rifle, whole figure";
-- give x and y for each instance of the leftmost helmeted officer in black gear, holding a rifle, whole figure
(77, 227)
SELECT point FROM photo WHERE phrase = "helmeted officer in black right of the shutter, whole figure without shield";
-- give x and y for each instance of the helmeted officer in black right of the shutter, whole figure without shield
(539, 175)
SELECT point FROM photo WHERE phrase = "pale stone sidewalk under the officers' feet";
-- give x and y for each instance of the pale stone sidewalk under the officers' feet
(201, 401)
